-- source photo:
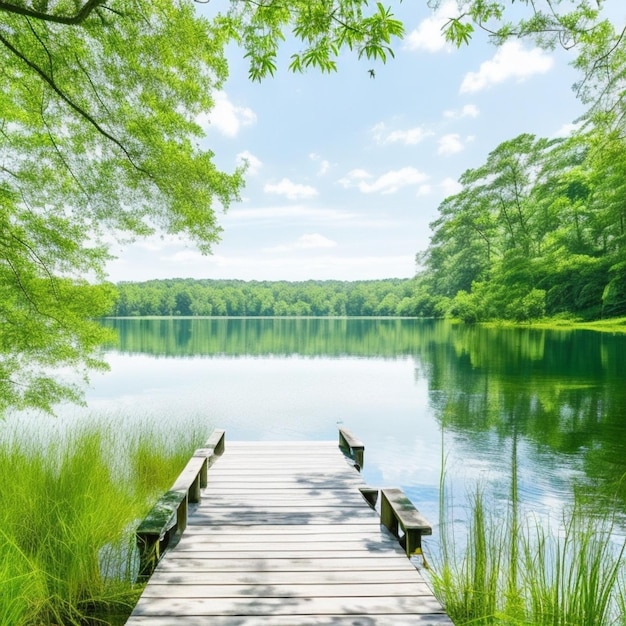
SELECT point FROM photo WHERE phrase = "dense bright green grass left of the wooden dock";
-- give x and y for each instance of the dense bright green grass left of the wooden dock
(68, 508)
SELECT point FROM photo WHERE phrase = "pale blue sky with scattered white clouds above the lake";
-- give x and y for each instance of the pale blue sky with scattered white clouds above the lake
(345, 171)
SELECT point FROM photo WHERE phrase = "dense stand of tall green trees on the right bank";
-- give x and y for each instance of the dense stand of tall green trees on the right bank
(538, 230)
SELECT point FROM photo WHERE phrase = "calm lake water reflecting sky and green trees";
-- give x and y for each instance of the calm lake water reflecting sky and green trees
(424, 396)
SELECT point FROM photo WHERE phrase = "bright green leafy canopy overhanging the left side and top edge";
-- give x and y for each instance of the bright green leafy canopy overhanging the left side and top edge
(101, 137)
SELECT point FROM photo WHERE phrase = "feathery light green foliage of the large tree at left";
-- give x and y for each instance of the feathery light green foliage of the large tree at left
(81, 159)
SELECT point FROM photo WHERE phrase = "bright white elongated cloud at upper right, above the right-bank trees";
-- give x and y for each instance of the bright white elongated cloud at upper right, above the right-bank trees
(511, 61)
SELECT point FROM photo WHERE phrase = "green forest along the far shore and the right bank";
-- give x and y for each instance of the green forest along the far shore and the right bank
(538, 230)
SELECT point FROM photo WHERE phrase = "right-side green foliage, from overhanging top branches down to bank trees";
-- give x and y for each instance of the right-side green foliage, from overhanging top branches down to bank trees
(540, 228)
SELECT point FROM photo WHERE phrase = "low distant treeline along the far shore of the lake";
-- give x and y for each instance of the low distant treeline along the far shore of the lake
(191, 297)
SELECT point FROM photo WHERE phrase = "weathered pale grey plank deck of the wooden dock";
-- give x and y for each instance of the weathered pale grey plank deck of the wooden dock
(283, 536)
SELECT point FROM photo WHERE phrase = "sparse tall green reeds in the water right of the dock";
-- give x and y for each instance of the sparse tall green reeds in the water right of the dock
(514, 572)
